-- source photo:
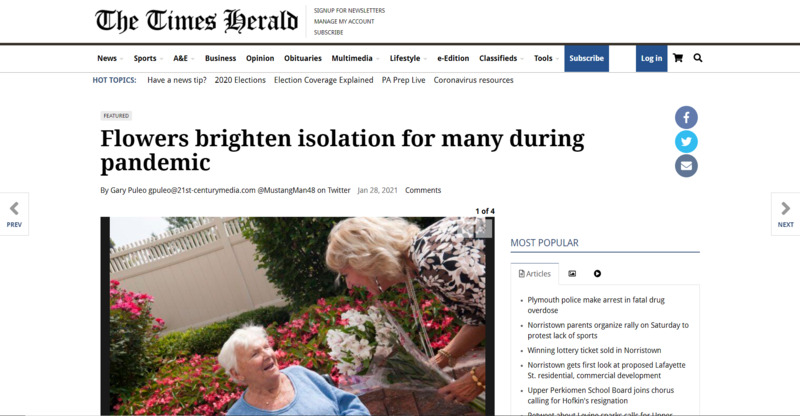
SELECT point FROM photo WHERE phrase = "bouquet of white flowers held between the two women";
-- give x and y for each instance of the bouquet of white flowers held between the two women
(375, 352)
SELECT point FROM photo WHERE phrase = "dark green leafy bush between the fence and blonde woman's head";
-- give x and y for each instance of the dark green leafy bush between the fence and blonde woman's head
(292, 250)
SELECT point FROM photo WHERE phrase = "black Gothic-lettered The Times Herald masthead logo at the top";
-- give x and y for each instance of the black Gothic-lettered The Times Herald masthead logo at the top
(166, 20)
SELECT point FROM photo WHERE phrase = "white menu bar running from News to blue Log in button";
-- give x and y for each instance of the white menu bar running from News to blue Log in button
(416, 58)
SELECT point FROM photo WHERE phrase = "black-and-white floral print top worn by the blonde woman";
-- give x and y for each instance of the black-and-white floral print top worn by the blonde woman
(451, 262)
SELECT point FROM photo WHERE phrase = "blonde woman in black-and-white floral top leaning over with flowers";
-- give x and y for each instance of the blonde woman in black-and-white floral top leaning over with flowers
(446, 258)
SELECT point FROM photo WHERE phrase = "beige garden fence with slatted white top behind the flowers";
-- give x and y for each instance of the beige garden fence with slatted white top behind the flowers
(197, 274)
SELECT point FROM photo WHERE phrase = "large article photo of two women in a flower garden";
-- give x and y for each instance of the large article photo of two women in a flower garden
(298, 315)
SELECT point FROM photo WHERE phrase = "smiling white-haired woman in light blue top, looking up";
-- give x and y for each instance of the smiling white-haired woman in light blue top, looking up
(248, 359)
